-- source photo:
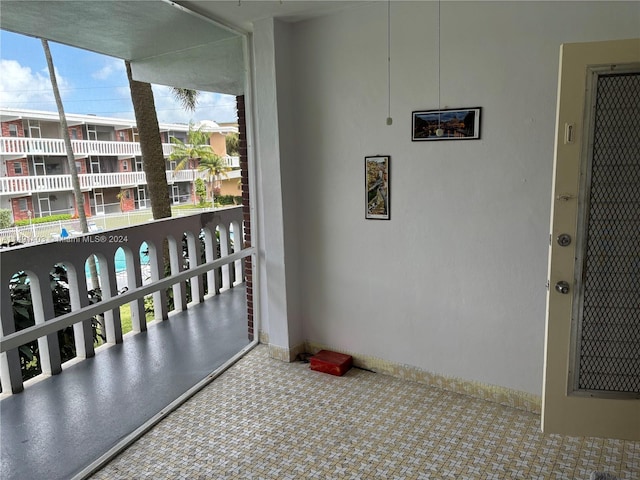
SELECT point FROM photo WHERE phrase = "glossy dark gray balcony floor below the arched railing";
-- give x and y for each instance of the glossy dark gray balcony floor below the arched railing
(58, 426)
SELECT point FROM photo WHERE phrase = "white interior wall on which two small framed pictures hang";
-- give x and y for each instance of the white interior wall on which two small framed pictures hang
(454, 283)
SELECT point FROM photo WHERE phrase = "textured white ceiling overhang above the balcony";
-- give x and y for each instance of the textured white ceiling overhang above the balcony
(189, 44)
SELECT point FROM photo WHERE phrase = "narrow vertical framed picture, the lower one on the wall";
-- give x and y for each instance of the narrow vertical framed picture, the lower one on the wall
(376, 176)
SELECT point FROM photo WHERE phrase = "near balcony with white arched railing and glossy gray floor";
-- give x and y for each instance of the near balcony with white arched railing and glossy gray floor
(136, 374)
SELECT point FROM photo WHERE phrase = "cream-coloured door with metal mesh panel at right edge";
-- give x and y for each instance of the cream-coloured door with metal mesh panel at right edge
(592, 349)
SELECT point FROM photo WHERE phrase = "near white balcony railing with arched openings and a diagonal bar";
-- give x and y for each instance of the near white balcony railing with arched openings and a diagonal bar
(222, 269)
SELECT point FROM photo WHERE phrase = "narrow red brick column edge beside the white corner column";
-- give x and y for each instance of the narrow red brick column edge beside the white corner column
(244, 176)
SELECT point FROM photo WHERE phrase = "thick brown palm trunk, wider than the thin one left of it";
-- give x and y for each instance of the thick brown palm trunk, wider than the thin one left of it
(150, 146)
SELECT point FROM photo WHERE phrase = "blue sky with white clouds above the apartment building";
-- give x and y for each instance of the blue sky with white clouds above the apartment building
(89, 84)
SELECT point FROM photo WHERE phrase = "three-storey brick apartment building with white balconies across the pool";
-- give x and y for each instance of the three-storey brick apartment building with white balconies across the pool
(35, 179)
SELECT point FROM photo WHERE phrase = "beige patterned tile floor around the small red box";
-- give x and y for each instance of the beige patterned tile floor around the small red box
(265, 419)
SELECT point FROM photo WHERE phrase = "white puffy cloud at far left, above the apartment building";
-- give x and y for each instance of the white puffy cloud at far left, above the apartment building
(20, 87)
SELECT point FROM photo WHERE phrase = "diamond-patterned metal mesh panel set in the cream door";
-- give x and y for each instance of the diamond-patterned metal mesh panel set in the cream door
(609, 342)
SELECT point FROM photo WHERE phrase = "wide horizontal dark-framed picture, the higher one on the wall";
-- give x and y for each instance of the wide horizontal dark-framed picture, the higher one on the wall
(450, 124)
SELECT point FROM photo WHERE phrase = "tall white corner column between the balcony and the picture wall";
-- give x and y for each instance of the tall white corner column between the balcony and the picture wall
(279, 285)
